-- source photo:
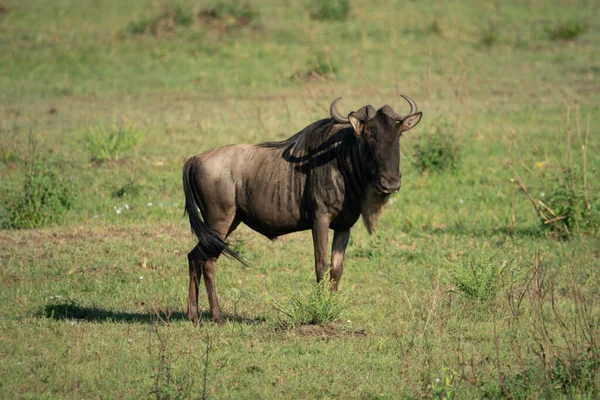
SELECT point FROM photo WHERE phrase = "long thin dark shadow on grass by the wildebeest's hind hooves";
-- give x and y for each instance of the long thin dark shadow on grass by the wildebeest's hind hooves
(72, 311)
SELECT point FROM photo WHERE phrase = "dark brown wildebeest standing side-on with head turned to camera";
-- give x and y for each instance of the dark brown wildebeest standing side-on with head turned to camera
(324, 177)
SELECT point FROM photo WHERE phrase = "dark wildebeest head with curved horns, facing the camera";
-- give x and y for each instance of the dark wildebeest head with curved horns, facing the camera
(380, 131)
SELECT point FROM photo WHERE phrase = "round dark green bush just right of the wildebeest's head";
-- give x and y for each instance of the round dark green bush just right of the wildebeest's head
(437, 150)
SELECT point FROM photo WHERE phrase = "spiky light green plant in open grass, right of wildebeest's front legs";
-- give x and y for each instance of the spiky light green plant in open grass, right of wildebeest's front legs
(477, 278)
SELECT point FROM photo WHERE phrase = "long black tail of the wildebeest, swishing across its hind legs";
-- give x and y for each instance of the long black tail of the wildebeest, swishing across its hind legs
(210, 242)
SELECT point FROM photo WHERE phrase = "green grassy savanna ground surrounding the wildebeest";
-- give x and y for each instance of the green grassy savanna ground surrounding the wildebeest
(461, 293)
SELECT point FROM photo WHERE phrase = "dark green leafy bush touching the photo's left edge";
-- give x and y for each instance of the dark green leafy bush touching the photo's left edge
(45, 197)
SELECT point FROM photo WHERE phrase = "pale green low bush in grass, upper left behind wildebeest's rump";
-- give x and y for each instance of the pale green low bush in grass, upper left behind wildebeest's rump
(109, 143)
